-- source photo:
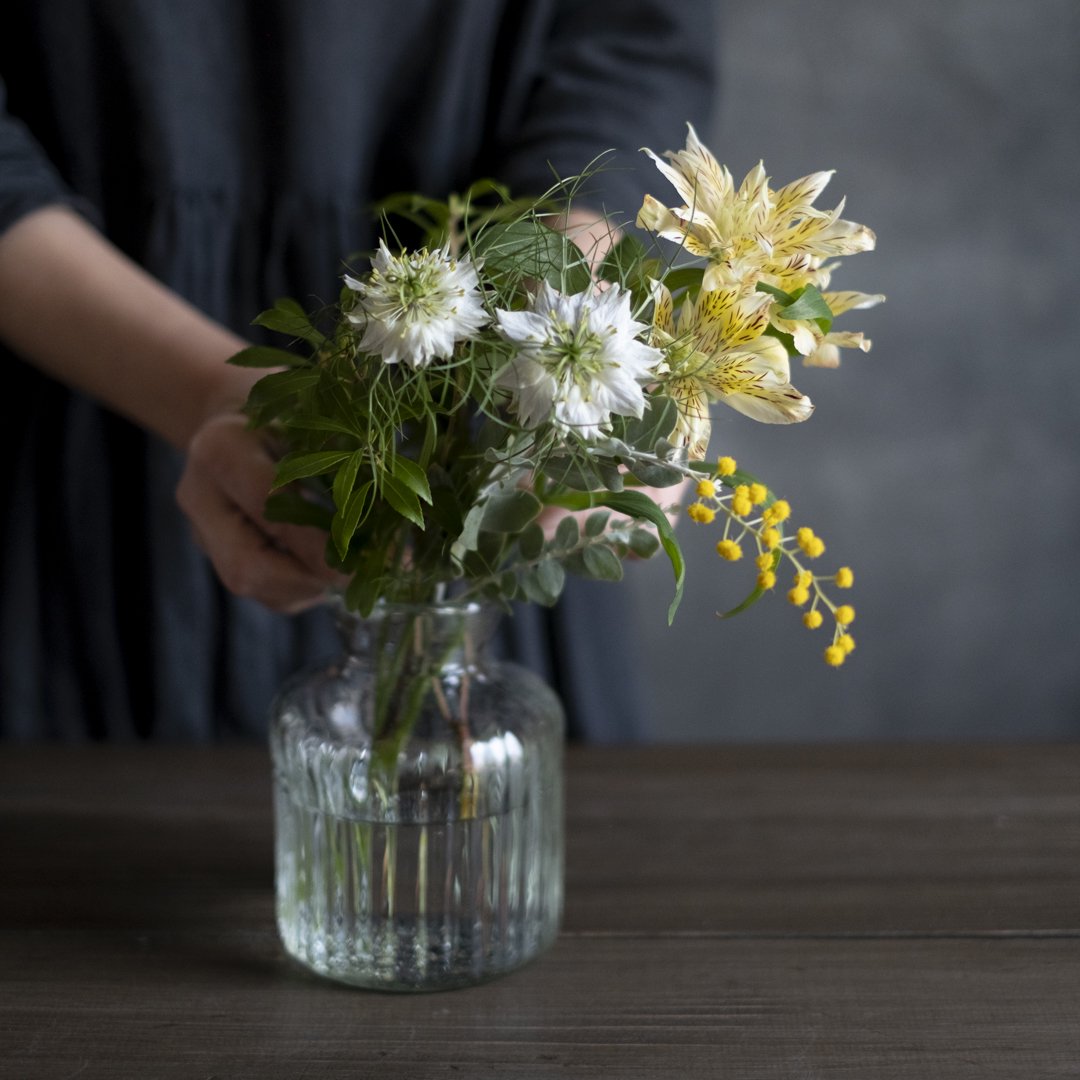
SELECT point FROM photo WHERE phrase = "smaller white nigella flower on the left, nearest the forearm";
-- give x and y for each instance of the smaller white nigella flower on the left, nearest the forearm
(417, 306)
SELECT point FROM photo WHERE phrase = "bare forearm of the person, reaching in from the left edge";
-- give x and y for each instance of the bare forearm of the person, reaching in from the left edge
(82, 312)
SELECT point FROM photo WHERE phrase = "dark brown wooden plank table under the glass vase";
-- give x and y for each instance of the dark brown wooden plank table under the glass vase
(737, 913)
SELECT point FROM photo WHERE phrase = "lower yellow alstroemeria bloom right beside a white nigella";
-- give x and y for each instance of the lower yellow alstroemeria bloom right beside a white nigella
(719, 352)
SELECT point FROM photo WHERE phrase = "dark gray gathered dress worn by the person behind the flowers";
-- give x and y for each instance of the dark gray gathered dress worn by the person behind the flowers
(233, 148)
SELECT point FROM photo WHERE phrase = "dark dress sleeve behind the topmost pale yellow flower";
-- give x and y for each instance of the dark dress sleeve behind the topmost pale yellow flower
(601, 77)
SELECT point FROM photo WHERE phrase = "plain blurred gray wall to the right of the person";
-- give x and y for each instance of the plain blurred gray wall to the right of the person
(942, 466)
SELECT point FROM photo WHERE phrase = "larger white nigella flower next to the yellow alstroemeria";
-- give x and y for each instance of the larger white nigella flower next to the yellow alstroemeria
(578, 360)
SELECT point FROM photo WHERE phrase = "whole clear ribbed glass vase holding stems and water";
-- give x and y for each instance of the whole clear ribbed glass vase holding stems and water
(418, 806)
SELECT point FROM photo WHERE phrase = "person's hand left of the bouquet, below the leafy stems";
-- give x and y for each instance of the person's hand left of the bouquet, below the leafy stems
(223, 491)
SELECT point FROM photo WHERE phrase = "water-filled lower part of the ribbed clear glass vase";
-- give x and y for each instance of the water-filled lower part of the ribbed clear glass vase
(417, 908)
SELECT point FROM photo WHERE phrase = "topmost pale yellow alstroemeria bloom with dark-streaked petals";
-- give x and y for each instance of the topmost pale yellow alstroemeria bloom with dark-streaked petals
(752, 232)
